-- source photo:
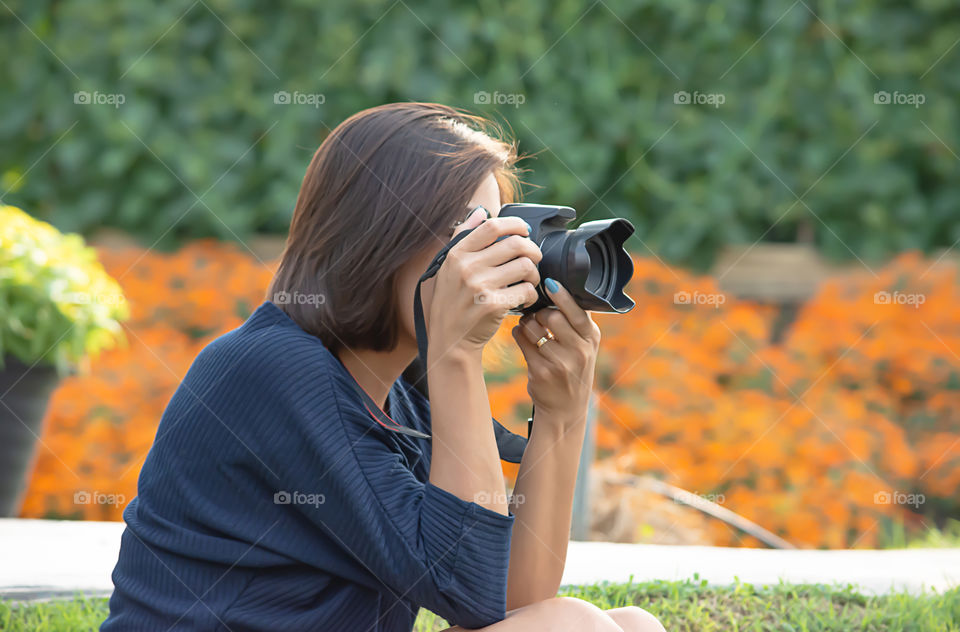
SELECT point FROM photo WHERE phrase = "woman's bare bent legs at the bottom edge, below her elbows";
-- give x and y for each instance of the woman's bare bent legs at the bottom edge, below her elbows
(567, 614)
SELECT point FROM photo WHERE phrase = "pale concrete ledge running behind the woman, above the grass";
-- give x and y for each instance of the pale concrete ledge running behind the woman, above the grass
(42, 559)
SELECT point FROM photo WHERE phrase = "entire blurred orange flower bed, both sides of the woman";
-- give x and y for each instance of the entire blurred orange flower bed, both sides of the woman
(850, 425)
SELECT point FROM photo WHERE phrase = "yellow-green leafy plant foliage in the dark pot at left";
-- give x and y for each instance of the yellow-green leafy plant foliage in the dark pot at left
(57, 303)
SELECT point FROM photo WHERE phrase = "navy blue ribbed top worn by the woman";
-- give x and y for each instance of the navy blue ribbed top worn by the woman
(272, 500)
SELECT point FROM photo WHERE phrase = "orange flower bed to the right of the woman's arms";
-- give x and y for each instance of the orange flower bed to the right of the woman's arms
(825, 438)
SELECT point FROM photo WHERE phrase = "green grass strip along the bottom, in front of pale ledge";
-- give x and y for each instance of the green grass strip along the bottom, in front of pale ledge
(682, 606)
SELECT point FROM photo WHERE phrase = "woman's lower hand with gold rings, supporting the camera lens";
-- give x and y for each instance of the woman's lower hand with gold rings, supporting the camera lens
(559, 371)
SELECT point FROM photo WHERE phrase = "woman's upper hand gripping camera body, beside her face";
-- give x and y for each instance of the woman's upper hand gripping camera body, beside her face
(480, 280)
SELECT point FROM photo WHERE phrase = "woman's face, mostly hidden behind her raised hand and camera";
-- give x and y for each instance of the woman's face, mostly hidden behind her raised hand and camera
(486, 195)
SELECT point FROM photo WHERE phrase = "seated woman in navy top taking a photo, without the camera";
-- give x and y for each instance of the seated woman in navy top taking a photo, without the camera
(275, 496)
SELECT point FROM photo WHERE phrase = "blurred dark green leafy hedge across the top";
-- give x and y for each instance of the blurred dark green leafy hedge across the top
(589, 88)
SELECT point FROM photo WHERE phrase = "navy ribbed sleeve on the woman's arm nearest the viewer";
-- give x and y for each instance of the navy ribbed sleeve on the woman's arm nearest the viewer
(421, 542)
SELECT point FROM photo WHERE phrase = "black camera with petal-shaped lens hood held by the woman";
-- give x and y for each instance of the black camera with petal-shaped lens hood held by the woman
(589, 261)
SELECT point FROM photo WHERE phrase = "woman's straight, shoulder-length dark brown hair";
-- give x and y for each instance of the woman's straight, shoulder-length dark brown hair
(380, 188)
